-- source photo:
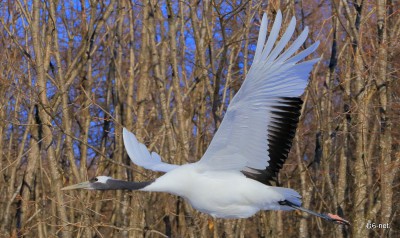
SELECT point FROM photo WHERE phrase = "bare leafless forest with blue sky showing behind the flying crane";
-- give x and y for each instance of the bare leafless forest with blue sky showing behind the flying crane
(73, 73)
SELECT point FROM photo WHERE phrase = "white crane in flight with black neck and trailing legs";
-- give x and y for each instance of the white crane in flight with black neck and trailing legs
(233, 178)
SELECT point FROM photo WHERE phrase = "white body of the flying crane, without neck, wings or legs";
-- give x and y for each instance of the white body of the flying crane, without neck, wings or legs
(227, 194)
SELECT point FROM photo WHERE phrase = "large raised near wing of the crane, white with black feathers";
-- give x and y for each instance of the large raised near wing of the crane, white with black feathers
(262, 117)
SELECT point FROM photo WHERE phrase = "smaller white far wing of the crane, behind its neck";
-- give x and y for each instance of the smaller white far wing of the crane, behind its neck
(141, 156)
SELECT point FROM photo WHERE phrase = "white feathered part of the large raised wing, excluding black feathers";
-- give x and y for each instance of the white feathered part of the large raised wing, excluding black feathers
(241, 139)
